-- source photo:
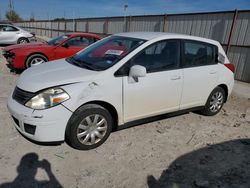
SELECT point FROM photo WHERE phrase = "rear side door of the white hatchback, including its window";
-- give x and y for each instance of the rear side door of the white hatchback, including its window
(200, 71)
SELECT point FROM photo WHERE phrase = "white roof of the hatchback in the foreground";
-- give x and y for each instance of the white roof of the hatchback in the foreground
(163, 35)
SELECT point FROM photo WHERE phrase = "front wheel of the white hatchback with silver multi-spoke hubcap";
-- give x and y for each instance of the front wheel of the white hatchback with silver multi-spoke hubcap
(82, 128)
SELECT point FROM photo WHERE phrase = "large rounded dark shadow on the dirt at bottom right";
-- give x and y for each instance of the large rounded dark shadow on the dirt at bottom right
(224, 165)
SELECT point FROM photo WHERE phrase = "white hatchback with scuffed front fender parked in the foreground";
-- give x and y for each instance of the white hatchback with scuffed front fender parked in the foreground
(118, 81)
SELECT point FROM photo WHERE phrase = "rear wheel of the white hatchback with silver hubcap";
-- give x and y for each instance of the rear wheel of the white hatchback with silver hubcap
(214, 102)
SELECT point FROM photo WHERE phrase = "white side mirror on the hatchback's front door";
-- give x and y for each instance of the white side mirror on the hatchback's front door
(135, 72)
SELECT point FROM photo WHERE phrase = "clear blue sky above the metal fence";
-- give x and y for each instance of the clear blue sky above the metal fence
(50, 9)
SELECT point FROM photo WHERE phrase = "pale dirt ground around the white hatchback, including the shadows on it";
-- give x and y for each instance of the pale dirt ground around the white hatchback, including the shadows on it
(183, 151)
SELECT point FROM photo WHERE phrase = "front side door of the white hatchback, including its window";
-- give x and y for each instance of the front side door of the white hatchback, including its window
(160, 91)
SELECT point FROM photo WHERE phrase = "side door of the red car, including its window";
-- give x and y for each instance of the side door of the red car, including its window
(72, 46)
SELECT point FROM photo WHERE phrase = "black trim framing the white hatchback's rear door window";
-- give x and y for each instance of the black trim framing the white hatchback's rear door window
(182, 64)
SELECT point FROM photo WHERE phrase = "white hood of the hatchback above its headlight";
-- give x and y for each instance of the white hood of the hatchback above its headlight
(51, 74)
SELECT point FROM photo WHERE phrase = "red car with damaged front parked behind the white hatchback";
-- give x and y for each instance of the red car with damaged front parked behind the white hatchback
(22, 56)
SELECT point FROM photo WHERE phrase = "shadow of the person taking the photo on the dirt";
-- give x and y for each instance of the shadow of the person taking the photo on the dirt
(27, 170)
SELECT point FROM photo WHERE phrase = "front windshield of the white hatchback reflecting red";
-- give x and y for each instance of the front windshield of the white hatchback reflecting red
(105, 53)
